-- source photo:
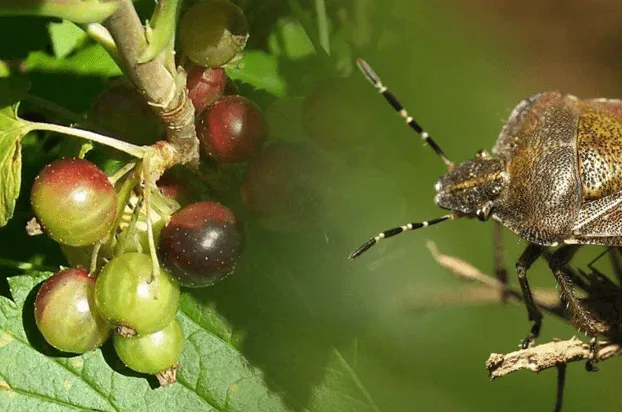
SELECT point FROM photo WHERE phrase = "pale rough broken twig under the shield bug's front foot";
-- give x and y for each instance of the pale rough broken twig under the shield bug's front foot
(546, 356)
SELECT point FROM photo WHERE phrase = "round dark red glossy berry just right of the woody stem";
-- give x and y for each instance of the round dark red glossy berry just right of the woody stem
(232, 129)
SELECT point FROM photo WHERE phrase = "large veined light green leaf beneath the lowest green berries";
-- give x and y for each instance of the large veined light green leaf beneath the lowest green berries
(214, 375)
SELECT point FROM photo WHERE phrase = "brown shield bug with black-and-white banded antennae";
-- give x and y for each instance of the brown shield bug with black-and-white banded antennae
(554, 178)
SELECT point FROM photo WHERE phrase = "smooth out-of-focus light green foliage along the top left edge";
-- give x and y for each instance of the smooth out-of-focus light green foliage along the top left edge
(79, 11)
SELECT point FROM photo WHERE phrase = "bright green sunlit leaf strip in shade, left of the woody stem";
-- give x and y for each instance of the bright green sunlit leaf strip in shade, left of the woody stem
(91, 60)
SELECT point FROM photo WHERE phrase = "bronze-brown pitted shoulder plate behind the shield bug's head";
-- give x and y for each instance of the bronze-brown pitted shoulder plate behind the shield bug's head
(538, 145)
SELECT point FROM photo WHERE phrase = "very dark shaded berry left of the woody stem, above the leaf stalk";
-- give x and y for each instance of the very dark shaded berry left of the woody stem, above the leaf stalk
(123, 113)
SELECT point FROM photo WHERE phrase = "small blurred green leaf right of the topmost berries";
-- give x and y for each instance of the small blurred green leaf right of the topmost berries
(260, 70)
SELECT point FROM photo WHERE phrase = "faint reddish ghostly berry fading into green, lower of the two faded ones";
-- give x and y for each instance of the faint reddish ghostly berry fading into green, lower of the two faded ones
(283, 187)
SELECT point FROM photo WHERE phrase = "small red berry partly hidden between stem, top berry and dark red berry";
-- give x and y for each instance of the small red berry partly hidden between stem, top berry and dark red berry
(205, 86)
